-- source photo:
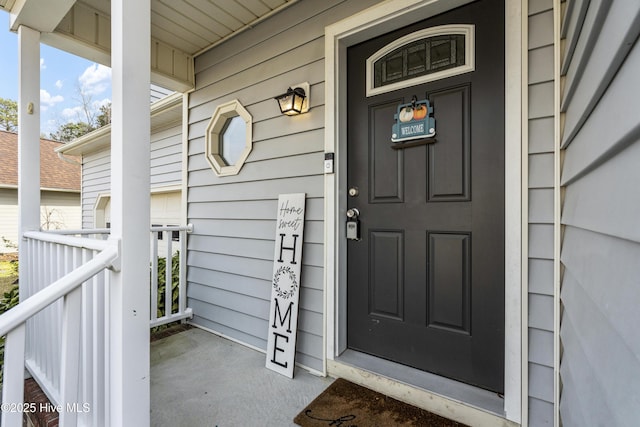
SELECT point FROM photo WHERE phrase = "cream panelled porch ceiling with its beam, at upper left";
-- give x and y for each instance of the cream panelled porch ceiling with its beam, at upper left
(180, 29)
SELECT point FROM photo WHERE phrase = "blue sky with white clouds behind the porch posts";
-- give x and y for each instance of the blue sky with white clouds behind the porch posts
(62, 78)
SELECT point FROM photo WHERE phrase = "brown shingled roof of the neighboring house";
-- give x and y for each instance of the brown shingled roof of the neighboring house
(55, 173)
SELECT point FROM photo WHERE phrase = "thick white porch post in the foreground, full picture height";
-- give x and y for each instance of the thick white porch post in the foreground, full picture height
(129, 393)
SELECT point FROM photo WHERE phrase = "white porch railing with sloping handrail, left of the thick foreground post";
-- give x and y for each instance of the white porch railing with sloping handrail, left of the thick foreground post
(58, 331)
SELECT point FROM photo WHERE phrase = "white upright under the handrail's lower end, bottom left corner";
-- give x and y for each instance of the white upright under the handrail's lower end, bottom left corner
(13, 382)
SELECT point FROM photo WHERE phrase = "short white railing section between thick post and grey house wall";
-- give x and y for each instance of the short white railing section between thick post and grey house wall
(170, 250)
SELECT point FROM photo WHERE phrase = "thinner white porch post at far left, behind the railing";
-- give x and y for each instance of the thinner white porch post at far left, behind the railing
(28, 135)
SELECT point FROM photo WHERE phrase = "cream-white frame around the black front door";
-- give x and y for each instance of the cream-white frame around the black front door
(372, 22)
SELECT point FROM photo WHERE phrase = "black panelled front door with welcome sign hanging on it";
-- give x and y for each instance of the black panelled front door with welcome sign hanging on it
(426, 279)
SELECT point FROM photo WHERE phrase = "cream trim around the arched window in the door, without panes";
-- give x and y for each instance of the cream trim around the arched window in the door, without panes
(468, 31)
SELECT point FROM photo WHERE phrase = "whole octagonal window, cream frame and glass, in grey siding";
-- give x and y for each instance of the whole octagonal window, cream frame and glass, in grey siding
(228, 138)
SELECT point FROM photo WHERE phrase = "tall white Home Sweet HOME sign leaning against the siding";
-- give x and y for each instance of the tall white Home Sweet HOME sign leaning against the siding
(285, 284)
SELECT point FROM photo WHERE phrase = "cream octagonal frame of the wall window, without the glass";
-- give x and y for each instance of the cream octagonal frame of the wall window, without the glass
(221, 114)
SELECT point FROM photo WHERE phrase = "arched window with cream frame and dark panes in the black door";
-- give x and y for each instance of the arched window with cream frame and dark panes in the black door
(420, 57)
